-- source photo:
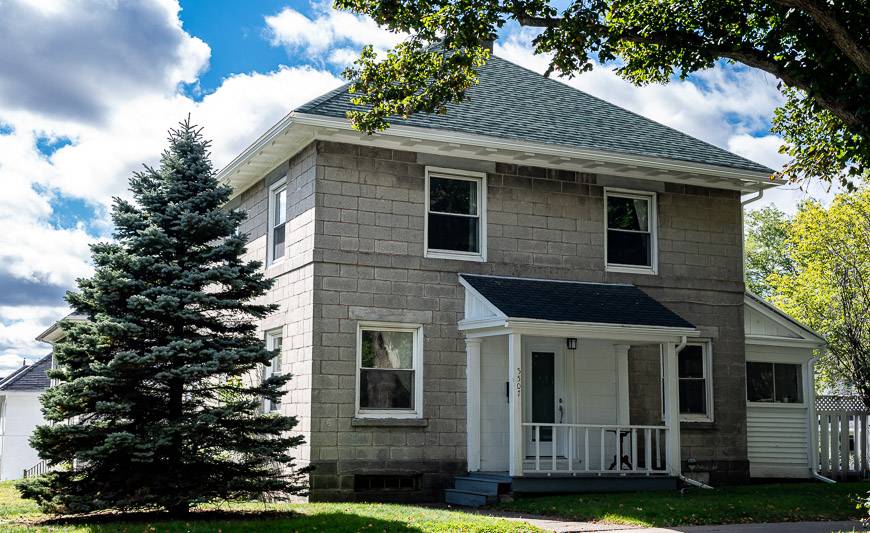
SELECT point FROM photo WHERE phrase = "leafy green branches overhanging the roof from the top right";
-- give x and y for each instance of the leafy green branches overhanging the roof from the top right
(819, 50)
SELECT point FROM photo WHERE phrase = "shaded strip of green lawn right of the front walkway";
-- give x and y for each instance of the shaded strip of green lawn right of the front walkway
(727, 505)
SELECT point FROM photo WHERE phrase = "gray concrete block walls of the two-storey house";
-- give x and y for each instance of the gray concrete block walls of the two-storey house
(362, 259)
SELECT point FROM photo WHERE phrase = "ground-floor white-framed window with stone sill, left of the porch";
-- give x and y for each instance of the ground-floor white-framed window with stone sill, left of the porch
(389, 374)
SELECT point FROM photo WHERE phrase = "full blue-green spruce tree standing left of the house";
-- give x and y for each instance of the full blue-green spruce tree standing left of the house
(154, 406)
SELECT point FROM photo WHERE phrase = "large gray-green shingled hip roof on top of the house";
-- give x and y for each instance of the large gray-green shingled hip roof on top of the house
(515, 103)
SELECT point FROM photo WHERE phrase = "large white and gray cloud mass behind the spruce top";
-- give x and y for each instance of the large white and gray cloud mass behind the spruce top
(116, 115)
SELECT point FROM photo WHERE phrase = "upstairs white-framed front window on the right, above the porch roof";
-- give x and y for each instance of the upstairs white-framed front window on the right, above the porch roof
(630, 224)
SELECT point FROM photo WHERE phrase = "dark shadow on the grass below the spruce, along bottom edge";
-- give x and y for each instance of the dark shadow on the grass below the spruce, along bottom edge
(219, 520)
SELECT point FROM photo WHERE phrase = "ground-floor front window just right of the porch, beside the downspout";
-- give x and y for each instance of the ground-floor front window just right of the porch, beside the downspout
(694, 364)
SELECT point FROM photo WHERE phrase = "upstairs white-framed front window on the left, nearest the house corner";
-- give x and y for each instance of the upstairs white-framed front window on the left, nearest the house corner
(455, 223)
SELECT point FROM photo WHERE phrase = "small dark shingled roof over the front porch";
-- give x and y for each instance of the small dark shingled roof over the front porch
(573, 301)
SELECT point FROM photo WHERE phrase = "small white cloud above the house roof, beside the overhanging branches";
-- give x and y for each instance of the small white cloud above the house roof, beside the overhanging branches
(331, 35)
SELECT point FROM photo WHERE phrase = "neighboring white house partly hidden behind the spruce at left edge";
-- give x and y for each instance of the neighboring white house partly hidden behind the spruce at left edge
(20, 413)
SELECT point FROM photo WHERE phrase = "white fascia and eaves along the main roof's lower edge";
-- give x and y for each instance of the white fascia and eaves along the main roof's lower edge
(743, 180)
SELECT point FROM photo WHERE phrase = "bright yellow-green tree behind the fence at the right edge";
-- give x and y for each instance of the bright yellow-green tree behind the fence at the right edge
(817, 269)
